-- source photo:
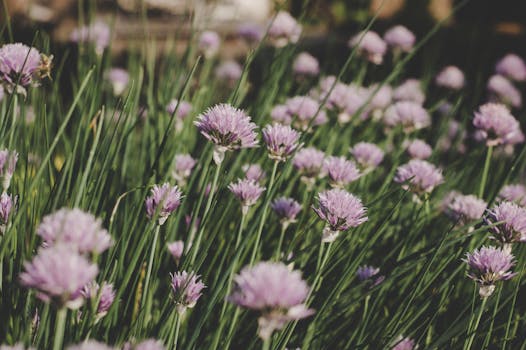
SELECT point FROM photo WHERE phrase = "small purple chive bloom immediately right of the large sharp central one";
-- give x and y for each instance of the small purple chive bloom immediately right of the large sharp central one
(281, 141)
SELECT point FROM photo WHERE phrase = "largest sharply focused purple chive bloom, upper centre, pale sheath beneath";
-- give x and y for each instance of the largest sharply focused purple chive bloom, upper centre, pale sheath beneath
(228, 128)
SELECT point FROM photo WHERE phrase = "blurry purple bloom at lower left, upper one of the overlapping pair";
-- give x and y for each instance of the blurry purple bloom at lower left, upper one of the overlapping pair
(75, 228)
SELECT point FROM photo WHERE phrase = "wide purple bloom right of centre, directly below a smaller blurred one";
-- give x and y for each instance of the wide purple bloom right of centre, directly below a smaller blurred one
(420, 175)
